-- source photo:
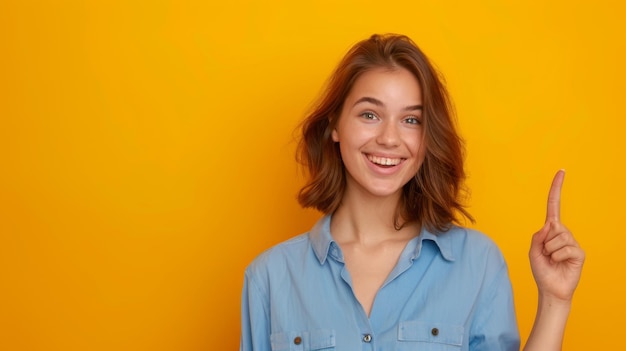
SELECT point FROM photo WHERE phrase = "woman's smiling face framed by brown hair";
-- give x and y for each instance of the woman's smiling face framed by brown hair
(380, 132)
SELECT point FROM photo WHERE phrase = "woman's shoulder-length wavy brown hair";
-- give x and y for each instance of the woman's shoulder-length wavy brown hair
(432, 197)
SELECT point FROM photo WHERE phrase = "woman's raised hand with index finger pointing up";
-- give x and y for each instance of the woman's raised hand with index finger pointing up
(556, 259)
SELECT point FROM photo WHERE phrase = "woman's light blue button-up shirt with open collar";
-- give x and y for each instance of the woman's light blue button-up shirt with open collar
(449, 291)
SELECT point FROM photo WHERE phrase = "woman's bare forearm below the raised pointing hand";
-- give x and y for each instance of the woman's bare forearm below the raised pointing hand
(549, 327)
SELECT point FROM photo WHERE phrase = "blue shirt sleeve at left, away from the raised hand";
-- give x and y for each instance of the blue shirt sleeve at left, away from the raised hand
(255, 325)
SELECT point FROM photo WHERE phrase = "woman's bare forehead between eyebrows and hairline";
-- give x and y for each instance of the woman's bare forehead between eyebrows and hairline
(387, 84)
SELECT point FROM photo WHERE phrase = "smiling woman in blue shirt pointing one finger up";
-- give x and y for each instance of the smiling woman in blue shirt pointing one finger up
(386, 268)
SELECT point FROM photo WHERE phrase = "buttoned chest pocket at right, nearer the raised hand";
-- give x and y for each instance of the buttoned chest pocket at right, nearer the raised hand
(418, 335)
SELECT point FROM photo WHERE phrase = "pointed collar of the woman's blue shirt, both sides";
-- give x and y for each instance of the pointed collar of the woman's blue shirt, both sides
(324, 244)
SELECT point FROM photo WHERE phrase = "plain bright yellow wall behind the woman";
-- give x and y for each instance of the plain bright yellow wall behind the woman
(147, 154)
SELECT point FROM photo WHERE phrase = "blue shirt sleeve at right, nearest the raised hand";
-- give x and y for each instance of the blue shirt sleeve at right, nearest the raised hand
(495, 324)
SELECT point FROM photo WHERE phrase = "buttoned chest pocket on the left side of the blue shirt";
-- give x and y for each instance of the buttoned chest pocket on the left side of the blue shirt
(321, 339)
